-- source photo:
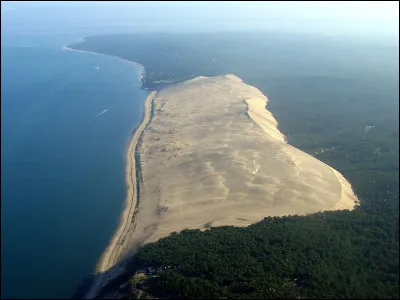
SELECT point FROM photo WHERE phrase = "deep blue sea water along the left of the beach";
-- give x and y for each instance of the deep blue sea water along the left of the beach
(62, 164)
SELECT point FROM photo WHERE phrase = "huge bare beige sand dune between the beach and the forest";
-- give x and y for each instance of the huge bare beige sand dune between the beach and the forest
(212, 155)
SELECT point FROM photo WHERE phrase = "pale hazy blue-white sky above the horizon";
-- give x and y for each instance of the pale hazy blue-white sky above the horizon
(379, 17)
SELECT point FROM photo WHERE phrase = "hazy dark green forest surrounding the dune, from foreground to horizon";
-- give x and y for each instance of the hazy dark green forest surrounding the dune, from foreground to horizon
(324, 92)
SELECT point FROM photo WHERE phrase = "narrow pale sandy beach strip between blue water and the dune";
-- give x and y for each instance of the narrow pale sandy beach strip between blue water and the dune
(120, 239)
